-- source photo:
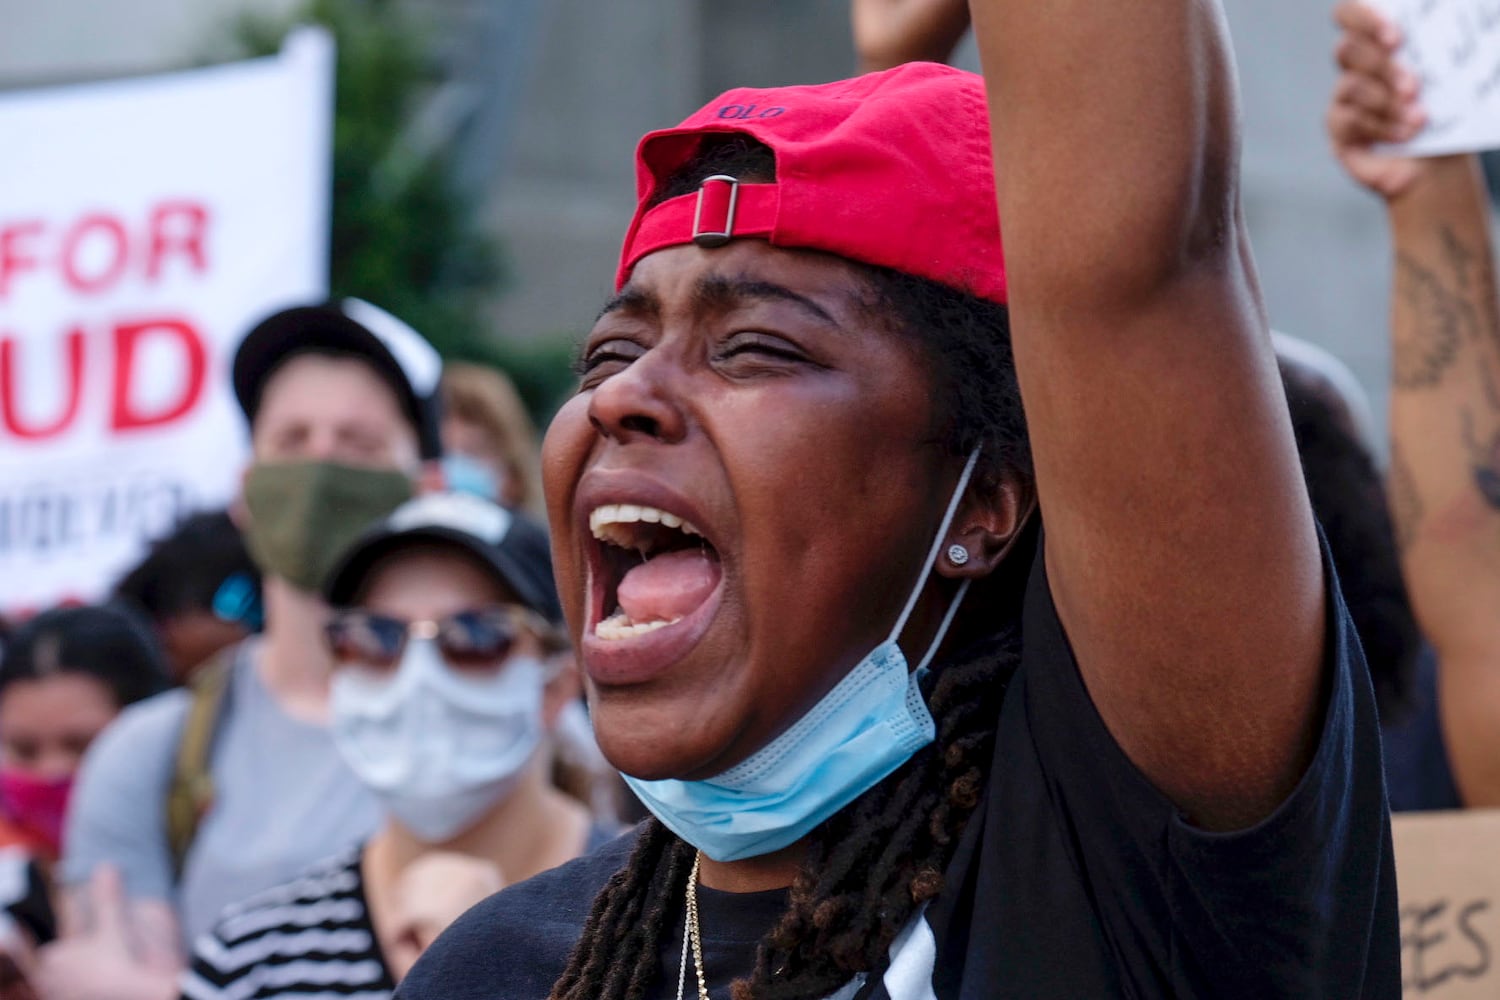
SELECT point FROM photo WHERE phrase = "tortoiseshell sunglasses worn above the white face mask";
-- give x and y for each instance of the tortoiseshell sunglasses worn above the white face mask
(476, 639)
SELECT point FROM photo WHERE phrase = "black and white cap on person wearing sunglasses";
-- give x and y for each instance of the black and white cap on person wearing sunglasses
(509, 543)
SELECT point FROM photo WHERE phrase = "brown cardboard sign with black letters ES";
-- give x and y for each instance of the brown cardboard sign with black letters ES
(1448, 876)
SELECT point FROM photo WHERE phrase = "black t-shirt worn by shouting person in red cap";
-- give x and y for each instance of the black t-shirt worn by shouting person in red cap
(1075, 879)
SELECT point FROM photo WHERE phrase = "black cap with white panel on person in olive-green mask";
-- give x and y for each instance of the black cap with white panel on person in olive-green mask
(352, 328)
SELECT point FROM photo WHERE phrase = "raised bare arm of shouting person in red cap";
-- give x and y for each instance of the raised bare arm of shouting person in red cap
(1180, 540)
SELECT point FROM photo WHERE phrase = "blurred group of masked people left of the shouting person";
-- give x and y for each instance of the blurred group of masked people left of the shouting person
(212, 731)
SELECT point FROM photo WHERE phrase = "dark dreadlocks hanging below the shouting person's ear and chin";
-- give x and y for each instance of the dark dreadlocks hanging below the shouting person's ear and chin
(868, 869)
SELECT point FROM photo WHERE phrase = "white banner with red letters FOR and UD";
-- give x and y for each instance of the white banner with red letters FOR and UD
(145, 224)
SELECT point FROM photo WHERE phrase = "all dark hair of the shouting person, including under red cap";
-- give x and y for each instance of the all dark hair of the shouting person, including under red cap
(872, 866)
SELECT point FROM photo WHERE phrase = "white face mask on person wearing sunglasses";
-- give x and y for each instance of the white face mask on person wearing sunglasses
(437, 747)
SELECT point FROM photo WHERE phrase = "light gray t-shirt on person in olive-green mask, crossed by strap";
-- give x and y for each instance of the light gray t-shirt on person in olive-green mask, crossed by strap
(284, 800)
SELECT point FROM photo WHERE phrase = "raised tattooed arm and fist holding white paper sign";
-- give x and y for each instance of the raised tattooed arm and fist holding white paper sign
(1445, 389)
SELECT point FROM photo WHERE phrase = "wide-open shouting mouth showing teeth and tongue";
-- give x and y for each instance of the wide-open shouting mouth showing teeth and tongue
(655, 570)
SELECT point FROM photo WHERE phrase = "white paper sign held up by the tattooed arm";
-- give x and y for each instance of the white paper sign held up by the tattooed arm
(1454, 49)
